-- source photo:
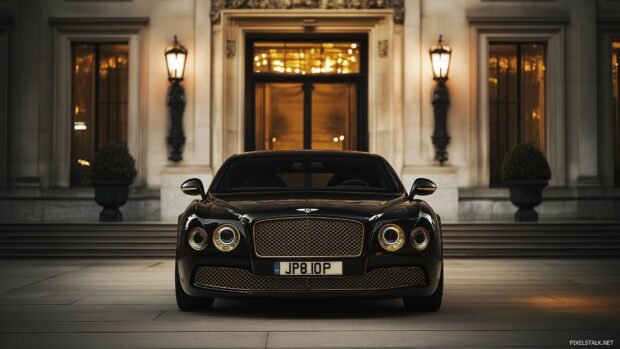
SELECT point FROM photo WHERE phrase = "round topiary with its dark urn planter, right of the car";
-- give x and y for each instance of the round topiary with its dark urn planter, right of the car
(526, 172)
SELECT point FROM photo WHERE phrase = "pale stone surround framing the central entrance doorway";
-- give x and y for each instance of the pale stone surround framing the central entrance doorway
(228, 103)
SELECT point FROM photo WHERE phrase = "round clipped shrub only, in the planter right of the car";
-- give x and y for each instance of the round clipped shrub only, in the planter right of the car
(525, 162)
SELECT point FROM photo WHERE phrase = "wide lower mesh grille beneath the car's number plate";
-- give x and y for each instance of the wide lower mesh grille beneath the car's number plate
(243, 280)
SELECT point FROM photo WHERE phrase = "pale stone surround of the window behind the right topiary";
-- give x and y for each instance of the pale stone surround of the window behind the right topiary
(485, 32)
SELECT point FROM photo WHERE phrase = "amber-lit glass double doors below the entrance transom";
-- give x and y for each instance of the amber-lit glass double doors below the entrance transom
(305, 116)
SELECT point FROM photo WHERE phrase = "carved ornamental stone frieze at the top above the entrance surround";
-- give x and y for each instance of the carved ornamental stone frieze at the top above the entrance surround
(397, 5)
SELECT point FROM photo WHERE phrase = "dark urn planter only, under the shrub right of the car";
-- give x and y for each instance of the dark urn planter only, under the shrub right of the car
(526, 194)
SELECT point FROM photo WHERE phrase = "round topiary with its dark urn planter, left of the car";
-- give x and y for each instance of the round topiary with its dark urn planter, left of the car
(113, 171)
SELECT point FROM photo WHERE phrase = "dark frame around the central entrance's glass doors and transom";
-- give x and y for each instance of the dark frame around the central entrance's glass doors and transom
(360, 79)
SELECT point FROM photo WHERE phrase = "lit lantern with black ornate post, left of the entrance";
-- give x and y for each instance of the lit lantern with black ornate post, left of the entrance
(176, 55)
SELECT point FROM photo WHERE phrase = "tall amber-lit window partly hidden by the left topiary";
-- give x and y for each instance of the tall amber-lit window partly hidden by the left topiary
(99, 103)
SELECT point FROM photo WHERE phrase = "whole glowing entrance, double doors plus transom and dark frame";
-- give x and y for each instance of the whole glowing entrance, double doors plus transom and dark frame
(306, 95)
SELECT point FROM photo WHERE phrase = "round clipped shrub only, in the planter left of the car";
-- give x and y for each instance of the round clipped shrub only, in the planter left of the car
(113, 163)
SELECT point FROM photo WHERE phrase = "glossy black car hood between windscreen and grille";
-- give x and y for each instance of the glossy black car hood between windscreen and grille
(358, 205)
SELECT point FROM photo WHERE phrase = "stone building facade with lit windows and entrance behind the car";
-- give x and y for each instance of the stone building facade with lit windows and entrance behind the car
(295, 74)
